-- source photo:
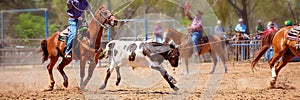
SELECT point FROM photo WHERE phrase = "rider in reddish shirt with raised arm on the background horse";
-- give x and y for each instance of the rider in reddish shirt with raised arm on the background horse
(196, 28)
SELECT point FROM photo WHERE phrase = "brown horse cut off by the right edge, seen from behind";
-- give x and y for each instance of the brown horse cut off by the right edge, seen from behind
(282, 46)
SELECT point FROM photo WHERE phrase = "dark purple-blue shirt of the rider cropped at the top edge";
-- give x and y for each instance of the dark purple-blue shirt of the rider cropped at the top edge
(76, 7)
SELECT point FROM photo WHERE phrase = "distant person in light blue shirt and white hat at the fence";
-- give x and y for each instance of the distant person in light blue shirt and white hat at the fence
(241, 28)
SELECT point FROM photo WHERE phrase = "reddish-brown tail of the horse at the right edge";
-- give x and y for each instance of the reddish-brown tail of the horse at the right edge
(266, 44)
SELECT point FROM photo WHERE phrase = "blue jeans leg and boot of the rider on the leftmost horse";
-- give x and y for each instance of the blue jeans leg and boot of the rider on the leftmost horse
(72, 27)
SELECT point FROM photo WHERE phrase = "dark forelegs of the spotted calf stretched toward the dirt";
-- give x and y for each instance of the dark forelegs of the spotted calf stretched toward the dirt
(166, 76)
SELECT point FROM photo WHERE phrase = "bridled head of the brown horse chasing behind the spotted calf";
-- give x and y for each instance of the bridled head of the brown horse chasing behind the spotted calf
(106, 17)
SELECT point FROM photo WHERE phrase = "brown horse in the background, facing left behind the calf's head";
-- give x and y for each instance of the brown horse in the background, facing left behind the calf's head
(186, 47)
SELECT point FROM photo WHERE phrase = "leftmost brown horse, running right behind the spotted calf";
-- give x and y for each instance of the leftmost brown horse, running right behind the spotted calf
(53, 48)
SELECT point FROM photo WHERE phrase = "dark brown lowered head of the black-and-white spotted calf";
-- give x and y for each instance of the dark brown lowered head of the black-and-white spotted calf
(173, 56)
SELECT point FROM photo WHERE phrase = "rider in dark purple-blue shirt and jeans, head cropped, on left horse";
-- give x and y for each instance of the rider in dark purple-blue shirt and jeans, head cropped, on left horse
(75, 9)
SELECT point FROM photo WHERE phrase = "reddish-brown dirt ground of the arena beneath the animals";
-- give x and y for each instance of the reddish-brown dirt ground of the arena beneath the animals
(26, 82)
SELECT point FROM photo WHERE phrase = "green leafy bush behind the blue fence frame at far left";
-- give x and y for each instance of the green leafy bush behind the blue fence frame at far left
(30, 26)
